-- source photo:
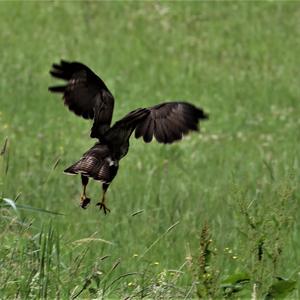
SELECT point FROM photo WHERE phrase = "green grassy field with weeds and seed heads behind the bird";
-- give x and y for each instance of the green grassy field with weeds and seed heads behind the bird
(214, 216)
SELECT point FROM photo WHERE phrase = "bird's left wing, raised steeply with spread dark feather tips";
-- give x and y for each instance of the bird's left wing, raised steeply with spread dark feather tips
(85, 94)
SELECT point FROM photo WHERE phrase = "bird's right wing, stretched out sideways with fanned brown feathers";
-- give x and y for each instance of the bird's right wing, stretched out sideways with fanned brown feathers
(167, 122)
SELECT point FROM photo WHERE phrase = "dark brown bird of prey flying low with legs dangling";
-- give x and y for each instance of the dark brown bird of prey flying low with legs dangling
(87, 96)
